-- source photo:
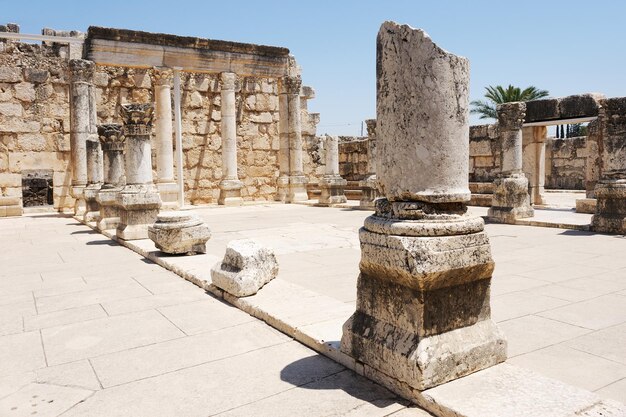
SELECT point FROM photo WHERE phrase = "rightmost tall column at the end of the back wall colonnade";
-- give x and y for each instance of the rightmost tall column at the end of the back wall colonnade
(290, 106)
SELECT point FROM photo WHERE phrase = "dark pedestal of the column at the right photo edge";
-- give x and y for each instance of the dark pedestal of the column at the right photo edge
(610, 216)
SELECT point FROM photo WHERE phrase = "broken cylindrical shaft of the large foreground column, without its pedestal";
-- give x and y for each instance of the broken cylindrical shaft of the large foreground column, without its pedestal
(423, 110)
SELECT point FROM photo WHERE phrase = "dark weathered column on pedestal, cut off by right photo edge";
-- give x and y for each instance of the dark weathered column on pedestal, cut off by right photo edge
(610, 190)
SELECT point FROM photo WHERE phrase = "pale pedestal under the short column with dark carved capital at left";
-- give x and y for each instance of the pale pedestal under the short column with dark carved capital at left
(138, 207)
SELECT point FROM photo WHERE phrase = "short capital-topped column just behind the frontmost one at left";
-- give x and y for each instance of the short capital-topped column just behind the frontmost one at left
(112, 141)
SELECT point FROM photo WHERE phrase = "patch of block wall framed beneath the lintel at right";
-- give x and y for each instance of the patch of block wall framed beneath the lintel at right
(565, 163)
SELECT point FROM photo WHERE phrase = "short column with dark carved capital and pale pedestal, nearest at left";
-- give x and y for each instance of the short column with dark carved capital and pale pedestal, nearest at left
(139, 200)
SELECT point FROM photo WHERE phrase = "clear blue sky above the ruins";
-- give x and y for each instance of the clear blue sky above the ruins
(566, 47)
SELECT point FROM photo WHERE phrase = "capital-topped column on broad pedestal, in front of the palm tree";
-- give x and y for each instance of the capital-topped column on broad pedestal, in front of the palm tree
(510, 200)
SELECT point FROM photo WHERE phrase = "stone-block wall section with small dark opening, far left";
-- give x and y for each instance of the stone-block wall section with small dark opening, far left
(34, 118)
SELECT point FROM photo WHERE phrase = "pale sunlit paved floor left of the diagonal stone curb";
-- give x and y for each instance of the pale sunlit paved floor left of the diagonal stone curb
(89, 328)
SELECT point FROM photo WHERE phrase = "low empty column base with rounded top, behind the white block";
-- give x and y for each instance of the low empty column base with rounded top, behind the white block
(179, 232)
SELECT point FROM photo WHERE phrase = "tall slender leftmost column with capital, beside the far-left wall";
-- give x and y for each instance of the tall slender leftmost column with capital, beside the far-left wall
(81, 96)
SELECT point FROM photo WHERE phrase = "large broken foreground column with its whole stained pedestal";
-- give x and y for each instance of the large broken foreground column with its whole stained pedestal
(423, 314)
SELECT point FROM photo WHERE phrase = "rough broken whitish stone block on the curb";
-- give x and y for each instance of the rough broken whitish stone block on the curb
(245, 269)
